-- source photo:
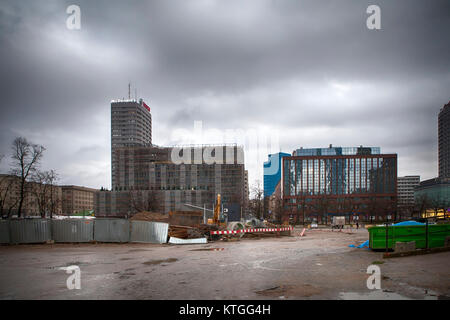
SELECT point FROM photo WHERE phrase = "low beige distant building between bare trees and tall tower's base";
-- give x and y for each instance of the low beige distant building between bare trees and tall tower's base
(77, 199)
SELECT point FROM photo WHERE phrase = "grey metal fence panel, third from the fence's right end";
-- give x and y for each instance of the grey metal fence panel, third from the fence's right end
(71, 230)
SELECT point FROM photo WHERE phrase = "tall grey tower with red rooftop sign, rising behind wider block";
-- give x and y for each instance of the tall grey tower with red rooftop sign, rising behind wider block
(131, 125)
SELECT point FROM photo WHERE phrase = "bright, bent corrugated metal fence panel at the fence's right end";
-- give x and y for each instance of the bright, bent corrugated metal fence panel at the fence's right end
(149, 232)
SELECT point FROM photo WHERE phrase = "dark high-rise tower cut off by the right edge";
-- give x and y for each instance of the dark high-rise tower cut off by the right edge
(444, 142)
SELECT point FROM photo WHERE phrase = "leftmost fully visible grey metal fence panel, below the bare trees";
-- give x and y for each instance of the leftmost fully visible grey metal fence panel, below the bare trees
(30, 230)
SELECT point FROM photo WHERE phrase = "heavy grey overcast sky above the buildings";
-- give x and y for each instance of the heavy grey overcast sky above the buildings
(307, 72)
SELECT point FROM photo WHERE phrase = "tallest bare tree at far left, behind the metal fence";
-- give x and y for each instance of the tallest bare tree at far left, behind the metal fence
(26, 157)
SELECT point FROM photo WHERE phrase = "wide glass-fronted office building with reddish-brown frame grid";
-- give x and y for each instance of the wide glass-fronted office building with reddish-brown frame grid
(352, 181)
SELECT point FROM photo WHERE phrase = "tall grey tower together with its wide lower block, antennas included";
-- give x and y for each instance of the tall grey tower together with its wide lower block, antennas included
(145, 177)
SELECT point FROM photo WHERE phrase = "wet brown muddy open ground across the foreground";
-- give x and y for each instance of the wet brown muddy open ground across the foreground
(317, 266)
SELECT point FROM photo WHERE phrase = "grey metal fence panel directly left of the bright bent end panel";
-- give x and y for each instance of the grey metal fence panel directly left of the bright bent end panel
(112, 230)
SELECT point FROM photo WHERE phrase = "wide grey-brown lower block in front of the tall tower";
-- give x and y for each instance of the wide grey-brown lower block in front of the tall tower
(149, 179)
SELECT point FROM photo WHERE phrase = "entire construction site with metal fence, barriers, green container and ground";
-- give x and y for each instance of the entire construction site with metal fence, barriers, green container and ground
(187, 255)
